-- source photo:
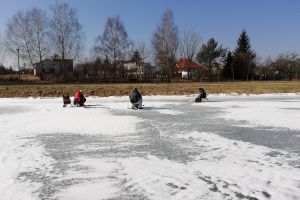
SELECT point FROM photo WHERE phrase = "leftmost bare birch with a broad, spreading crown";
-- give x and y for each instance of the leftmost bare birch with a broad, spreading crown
(26, 31)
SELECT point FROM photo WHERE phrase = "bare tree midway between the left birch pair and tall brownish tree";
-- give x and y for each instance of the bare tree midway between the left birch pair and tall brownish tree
(113, 43)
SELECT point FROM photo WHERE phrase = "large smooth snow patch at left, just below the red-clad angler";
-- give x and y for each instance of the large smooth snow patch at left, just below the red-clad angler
(48, 116)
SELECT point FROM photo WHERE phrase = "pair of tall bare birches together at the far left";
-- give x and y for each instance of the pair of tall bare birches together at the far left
(36, 36)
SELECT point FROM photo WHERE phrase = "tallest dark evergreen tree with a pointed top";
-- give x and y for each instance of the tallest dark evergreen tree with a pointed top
(243, 58)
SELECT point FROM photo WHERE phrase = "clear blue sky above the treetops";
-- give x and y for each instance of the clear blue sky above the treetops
(272, 25)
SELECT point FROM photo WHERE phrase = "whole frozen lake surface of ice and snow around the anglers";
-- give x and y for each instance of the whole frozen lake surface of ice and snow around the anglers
(231, 147)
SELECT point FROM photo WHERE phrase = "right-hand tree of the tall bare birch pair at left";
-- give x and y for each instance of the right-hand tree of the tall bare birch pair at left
(65, 33)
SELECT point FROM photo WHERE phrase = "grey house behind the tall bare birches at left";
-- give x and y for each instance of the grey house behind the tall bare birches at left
(54, 66)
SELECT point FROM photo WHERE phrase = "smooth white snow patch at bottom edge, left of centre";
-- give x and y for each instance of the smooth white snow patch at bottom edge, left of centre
(98, 182)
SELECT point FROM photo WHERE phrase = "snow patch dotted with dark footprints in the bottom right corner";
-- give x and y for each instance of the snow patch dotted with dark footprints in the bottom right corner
(233, 167)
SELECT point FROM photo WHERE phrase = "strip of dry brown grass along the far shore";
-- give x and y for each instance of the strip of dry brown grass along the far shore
(164, 89)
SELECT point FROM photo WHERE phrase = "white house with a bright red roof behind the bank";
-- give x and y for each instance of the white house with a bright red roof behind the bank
(195, 69)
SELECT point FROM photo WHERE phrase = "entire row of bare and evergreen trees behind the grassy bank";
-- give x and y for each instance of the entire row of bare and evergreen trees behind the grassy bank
(37, 36)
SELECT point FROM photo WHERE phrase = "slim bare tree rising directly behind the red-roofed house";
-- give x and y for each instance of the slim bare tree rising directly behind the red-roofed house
(190, 46)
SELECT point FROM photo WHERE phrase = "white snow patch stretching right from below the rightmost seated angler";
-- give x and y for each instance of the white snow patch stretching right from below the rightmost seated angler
(282, 114)
